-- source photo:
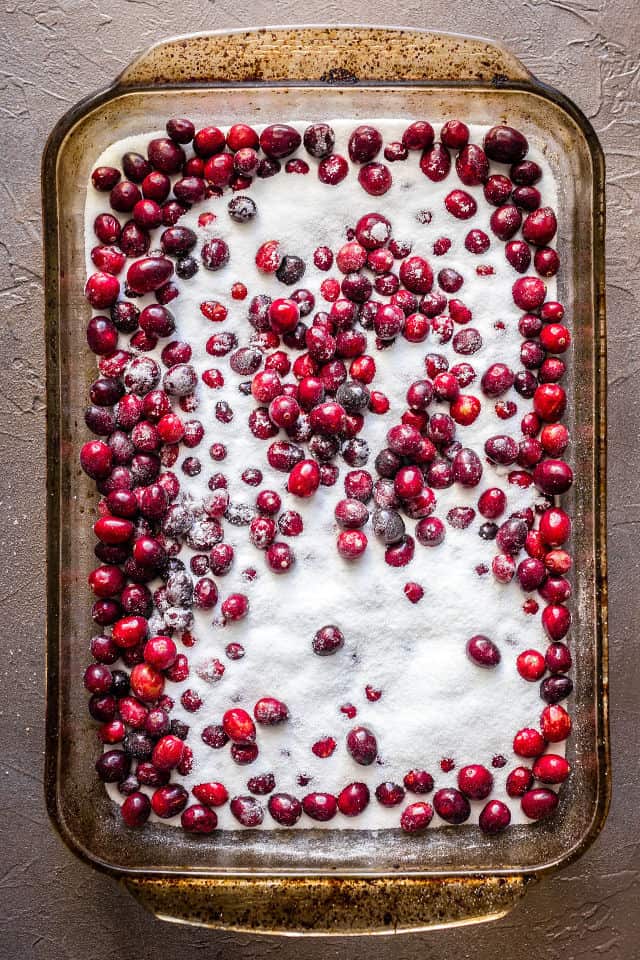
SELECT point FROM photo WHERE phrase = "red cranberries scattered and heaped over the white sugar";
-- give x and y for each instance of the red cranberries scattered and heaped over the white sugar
(314, 380)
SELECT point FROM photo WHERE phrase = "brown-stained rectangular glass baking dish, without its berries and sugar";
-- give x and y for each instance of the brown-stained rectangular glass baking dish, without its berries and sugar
(319, 881)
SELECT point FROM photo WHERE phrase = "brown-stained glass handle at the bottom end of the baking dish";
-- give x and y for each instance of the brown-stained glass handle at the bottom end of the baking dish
(329, 906)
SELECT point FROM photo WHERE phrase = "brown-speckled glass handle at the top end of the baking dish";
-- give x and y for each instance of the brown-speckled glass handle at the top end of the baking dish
(339, 55)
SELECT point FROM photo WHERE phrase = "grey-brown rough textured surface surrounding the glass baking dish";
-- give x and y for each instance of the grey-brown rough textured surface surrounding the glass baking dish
(51, 55)
